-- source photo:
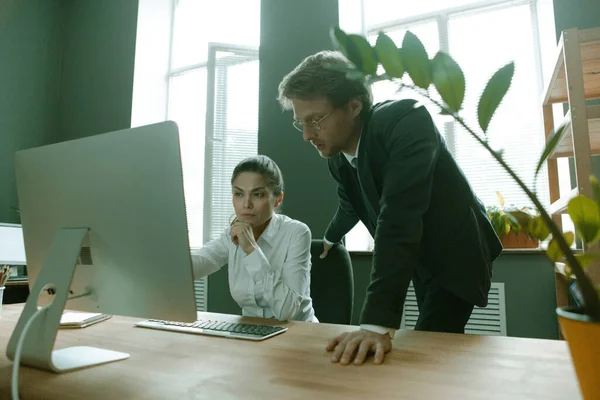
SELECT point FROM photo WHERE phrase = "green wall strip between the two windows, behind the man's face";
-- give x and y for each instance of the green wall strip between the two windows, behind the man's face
(290, 31)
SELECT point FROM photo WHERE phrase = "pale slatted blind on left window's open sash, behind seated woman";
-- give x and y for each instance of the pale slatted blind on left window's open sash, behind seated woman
(232, 130)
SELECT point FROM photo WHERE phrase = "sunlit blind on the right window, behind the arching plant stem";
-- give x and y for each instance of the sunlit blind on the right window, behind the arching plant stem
(516, 127)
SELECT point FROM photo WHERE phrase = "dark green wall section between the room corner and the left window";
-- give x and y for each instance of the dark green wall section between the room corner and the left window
(98, 65)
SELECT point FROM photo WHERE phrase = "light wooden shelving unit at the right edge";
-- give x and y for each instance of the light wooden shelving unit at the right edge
(574, 80)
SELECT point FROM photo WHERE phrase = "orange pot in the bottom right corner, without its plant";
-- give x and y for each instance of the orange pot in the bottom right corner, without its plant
(583, 336)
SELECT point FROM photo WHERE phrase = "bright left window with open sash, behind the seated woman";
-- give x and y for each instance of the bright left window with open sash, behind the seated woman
(213, 97)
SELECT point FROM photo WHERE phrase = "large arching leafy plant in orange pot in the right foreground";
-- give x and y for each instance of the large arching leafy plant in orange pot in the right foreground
(580, 325)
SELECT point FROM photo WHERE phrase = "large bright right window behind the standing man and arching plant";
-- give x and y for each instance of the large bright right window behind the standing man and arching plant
(482, 36)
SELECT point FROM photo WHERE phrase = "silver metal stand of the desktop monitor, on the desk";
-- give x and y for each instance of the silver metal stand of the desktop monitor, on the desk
(38, 345)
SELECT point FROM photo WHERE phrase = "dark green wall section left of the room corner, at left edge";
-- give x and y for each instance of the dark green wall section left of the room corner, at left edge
(30, 49)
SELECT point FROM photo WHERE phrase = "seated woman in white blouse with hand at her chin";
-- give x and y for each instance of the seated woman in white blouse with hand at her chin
(268, 254)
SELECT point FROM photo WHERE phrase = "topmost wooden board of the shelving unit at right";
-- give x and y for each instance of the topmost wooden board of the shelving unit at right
(556, 90)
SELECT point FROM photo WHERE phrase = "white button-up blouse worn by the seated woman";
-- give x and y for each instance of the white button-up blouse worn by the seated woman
(271, 282)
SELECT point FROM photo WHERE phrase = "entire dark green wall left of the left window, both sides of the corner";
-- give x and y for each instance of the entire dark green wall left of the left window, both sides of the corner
(66, 71)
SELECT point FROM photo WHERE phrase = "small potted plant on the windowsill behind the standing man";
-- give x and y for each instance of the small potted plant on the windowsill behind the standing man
(511, 233)
